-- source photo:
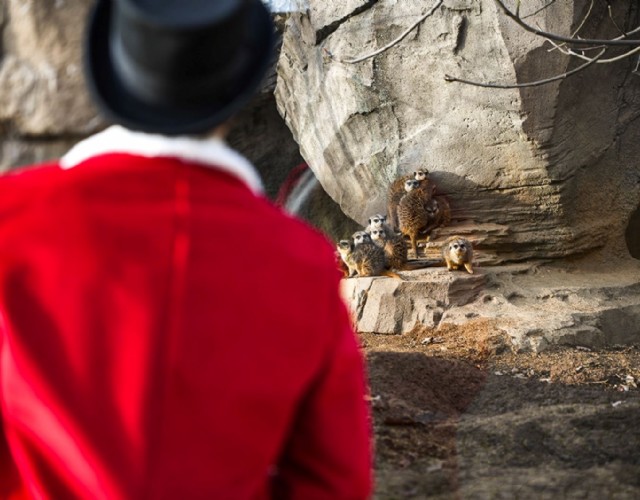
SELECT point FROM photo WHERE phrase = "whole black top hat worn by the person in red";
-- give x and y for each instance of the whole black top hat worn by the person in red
(176, 67)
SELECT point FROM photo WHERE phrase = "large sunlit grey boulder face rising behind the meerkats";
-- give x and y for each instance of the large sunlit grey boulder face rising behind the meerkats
(541, 172)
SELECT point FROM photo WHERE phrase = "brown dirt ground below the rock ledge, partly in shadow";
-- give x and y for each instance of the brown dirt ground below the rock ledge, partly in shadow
(458, 415)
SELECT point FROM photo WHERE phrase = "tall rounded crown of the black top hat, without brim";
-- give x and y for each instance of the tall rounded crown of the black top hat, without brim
(164, 50)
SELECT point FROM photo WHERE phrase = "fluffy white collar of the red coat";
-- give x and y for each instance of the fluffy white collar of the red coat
(213, 152)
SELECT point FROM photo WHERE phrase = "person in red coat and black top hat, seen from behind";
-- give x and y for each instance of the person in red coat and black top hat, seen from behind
(165, 331)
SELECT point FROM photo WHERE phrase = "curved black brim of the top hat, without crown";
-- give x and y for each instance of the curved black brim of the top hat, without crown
(123, 107)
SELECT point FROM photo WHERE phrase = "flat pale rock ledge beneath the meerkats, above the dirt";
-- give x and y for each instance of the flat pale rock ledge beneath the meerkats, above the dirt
(536, 306)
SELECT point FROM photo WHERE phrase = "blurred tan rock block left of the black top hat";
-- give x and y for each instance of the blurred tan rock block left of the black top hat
(42, 90)
